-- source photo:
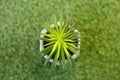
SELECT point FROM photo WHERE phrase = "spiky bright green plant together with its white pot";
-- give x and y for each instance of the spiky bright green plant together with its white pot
(59, 44)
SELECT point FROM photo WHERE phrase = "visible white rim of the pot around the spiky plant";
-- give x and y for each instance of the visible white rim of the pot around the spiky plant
(75, 55)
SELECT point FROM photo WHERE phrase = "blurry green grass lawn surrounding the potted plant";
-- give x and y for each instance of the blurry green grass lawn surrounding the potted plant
(22, 20)
